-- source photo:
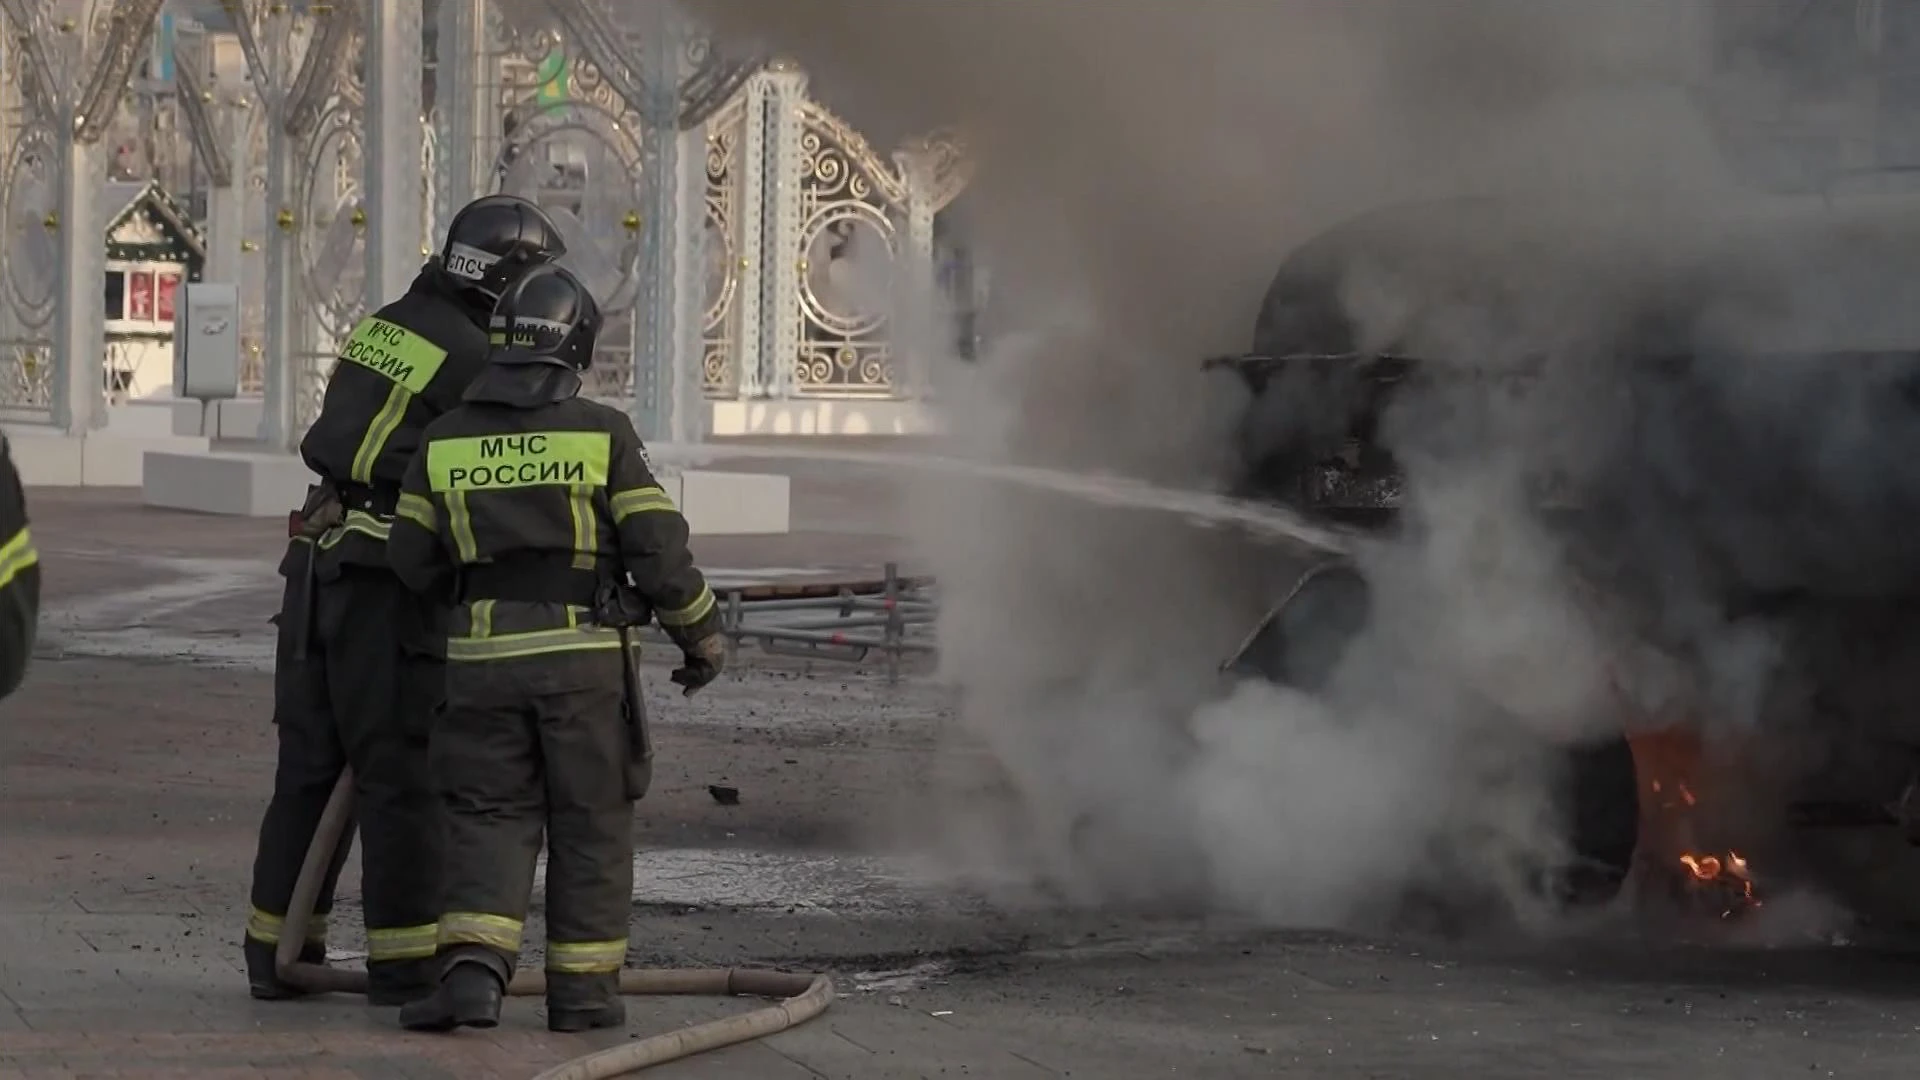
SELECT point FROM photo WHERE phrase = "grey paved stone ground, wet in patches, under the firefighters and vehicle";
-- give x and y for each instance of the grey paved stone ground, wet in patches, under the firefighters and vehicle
(139, 756)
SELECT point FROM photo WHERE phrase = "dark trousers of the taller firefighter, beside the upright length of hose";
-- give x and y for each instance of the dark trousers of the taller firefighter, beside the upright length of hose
(356, 683)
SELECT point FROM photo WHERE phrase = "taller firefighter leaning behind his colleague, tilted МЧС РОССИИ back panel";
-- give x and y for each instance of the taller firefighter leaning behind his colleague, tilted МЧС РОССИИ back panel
(358, 672)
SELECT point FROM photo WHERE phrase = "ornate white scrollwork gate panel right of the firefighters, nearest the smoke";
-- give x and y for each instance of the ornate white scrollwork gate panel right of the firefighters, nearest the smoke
(811, 237)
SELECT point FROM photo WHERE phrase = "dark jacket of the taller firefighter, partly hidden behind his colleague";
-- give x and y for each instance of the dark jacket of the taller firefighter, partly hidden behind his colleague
(398, 370)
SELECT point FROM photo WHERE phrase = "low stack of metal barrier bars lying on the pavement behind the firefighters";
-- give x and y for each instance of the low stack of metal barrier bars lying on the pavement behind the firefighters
(842, 622)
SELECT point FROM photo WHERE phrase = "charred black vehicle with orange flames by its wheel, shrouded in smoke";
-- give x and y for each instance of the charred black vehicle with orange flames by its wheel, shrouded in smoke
(1710, 406)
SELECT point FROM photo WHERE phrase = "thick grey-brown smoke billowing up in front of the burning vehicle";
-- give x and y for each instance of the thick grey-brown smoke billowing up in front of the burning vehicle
(1143, 170)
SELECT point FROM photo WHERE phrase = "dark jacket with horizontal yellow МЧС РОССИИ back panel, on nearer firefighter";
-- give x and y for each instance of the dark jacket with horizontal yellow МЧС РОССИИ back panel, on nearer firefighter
(521, 516)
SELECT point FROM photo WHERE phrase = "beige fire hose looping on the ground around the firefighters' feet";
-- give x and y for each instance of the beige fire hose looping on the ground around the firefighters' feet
(802, 996)
